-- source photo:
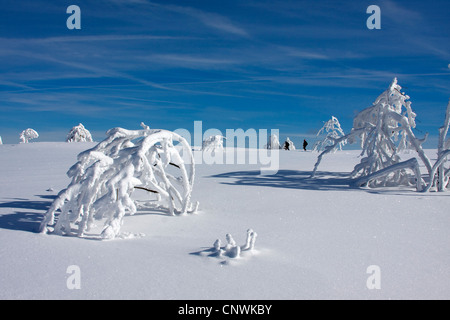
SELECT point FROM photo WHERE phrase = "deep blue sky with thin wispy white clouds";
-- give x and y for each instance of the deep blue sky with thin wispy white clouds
(287, 65)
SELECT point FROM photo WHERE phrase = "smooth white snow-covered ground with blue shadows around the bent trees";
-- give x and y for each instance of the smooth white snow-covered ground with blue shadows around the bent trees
(316, 237)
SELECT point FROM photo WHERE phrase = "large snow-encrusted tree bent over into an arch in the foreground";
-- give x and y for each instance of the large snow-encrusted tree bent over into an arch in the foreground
(104, 178)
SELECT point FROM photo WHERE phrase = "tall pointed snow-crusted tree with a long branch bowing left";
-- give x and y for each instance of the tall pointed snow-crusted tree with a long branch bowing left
(378, 127)
